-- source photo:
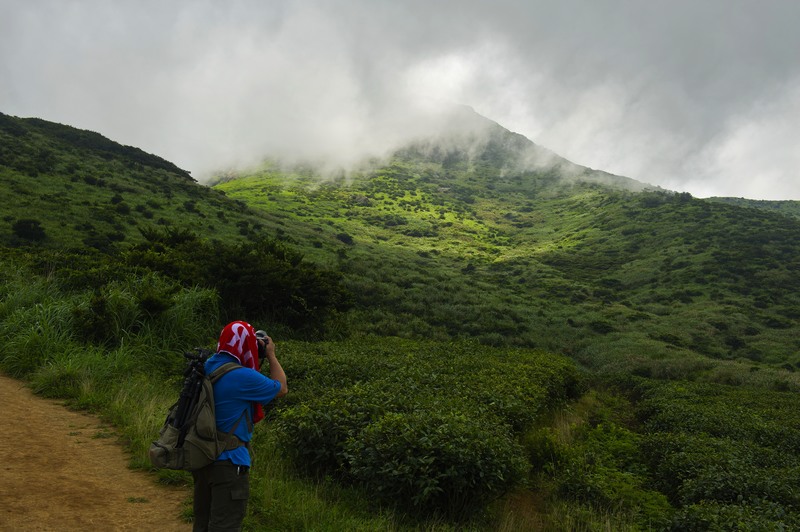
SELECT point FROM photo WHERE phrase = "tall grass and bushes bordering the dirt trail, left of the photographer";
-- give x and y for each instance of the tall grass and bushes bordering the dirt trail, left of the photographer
(43, 338)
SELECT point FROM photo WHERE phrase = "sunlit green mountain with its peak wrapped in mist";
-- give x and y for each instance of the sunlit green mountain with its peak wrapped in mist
(483, 234)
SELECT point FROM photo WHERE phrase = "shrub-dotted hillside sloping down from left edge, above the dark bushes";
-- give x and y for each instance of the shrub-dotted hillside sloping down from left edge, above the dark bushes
(64, 186)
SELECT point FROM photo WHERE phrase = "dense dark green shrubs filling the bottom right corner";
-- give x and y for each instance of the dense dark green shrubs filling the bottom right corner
(724, 455)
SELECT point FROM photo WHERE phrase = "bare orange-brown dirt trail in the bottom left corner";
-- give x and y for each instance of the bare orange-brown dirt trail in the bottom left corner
(64, 470)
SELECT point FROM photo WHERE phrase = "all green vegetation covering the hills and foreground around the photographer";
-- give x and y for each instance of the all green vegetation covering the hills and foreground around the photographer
(473, 341)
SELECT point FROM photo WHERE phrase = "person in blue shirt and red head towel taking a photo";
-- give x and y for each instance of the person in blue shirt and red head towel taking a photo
(221, 489)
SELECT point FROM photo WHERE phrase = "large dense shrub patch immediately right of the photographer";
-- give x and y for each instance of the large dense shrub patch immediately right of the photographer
(415, 429)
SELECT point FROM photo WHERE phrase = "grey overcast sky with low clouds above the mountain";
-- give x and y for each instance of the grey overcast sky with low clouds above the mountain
(700, 96)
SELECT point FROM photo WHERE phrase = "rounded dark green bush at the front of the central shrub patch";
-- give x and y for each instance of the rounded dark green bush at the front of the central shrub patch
(434, 463)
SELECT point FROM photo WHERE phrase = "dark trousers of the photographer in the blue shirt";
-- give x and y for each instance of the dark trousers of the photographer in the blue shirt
(221, 490)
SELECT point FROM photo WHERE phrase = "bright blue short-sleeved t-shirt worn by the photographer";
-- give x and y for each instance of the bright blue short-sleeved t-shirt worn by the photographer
(234, 393)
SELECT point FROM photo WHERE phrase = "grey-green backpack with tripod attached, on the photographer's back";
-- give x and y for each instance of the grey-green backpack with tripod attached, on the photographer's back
(189, 439)
